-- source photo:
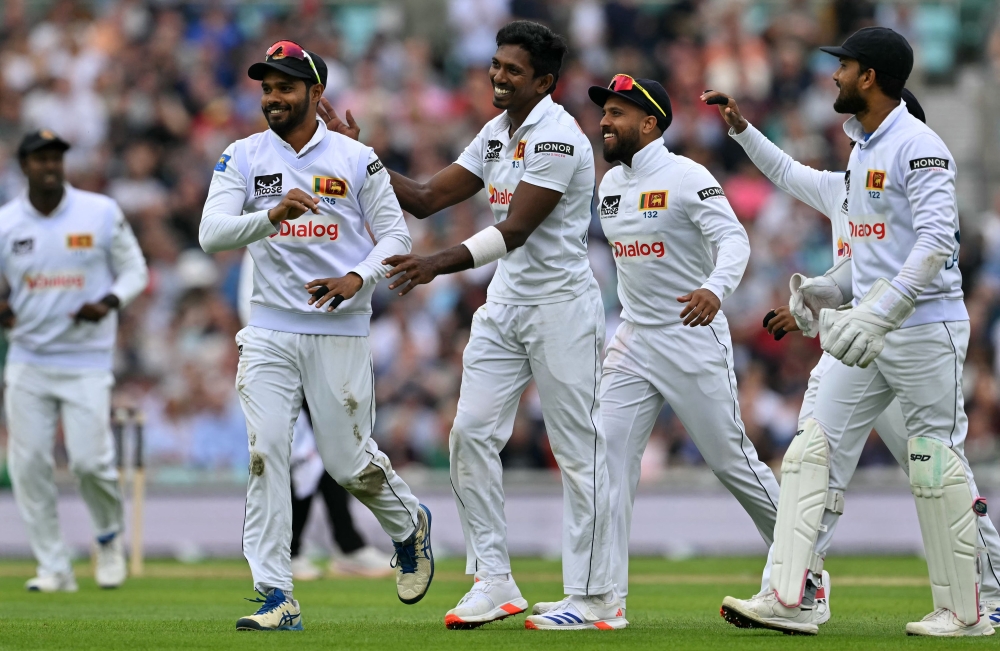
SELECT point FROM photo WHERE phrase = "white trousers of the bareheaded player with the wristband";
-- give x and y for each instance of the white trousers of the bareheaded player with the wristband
(559, 345)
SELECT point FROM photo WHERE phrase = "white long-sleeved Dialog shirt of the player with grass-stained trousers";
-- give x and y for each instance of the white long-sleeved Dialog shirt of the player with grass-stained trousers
(254, 174)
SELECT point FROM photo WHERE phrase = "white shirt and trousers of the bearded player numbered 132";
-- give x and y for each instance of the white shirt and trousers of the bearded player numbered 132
(662, 215)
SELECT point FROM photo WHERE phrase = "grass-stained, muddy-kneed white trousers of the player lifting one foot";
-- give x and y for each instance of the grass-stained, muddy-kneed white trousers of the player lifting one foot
(334, 375)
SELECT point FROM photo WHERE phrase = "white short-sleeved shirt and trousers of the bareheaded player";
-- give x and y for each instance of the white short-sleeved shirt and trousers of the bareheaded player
(543, 320)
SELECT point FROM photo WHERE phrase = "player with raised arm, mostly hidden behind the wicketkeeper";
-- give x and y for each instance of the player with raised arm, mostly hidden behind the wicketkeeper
(826, 193)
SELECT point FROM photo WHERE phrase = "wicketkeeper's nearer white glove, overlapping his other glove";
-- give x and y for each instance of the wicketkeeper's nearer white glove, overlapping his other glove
(856, 336)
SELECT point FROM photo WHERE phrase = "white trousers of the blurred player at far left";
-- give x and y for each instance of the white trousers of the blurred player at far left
(36, 398)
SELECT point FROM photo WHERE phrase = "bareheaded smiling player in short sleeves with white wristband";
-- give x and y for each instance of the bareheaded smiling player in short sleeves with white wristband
(543, 320)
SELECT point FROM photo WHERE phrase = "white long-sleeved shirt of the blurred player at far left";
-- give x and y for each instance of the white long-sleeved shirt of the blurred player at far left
(80, 253)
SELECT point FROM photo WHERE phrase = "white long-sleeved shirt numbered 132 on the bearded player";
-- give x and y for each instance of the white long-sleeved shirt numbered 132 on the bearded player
(662, 216)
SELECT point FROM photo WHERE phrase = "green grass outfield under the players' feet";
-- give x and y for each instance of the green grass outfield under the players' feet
(673, 604)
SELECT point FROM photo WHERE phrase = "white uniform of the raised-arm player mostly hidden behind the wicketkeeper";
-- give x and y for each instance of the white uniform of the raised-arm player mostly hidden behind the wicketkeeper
(826, 192)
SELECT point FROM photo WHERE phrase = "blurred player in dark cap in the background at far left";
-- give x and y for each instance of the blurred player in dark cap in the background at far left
(71, 261)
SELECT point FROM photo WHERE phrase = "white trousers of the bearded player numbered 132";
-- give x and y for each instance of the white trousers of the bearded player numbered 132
(692, 370)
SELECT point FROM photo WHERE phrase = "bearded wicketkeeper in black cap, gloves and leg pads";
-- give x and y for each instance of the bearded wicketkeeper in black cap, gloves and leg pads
(904, 337)
